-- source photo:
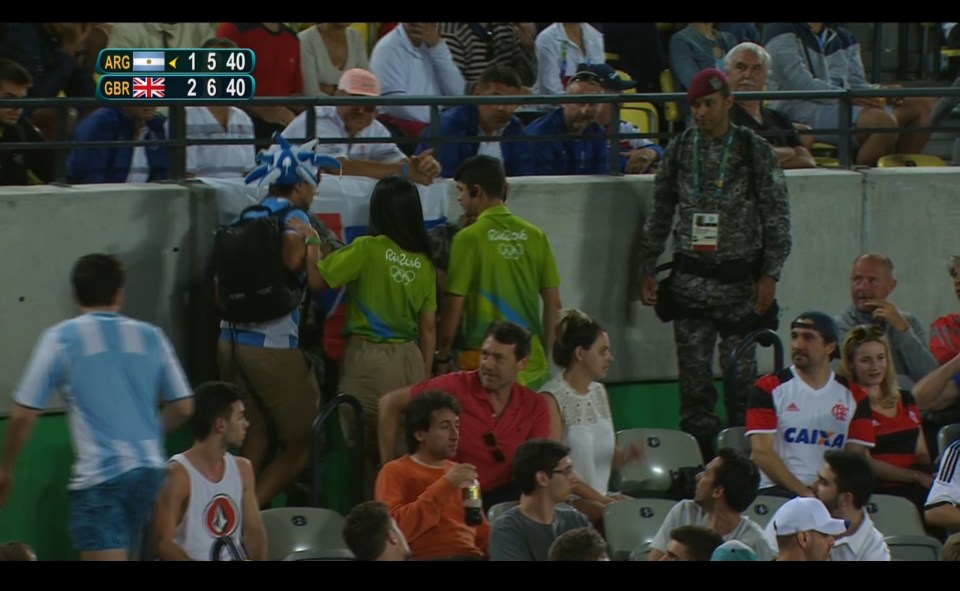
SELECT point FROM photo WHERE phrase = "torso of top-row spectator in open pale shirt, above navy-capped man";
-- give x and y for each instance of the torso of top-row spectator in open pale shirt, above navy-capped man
(561, 47)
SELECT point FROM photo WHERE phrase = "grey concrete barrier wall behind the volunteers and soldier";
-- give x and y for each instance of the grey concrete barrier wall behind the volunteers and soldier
(163, 235)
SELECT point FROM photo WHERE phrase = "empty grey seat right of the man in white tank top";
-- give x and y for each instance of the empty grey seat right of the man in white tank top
(297, 529)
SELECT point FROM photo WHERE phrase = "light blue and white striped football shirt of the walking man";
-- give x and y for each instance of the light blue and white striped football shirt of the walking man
(112, 372)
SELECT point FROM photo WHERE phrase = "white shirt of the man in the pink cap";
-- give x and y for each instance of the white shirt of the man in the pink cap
(330, 125)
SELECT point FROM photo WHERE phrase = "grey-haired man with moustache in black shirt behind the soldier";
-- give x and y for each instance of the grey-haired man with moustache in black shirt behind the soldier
(747, 66)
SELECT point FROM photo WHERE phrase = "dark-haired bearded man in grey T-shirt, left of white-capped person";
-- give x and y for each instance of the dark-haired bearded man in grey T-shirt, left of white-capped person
(725, 489)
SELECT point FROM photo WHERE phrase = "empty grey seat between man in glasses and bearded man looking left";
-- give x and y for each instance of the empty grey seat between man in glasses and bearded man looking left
(628, 525)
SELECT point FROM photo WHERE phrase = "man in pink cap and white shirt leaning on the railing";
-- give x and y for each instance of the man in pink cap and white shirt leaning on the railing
(359, 121)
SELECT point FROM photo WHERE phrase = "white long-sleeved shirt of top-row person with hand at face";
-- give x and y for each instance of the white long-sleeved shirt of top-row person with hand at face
(406, 70)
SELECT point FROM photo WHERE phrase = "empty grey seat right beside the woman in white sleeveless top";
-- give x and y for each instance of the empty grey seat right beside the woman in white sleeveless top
(664, 450)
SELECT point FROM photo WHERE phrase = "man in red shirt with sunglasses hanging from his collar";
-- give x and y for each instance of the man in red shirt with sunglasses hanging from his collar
(498, 413)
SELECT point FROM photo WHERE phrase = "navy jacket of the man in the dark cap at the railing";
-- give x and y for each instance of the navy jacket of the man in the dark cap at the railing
(560, 157)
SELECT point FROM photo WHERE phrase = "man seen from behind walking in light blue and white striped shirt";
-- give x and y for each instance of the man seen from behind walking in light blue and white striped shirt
(112, 373)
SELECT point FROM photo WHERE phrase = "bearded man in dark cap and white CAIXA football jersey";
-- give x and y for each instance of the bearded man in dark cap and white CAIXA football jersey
(795, 415)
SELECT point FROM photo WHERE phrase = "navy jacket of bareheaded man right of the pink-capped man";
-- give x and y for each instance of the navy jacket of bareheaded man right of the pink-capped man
(462, 121)
